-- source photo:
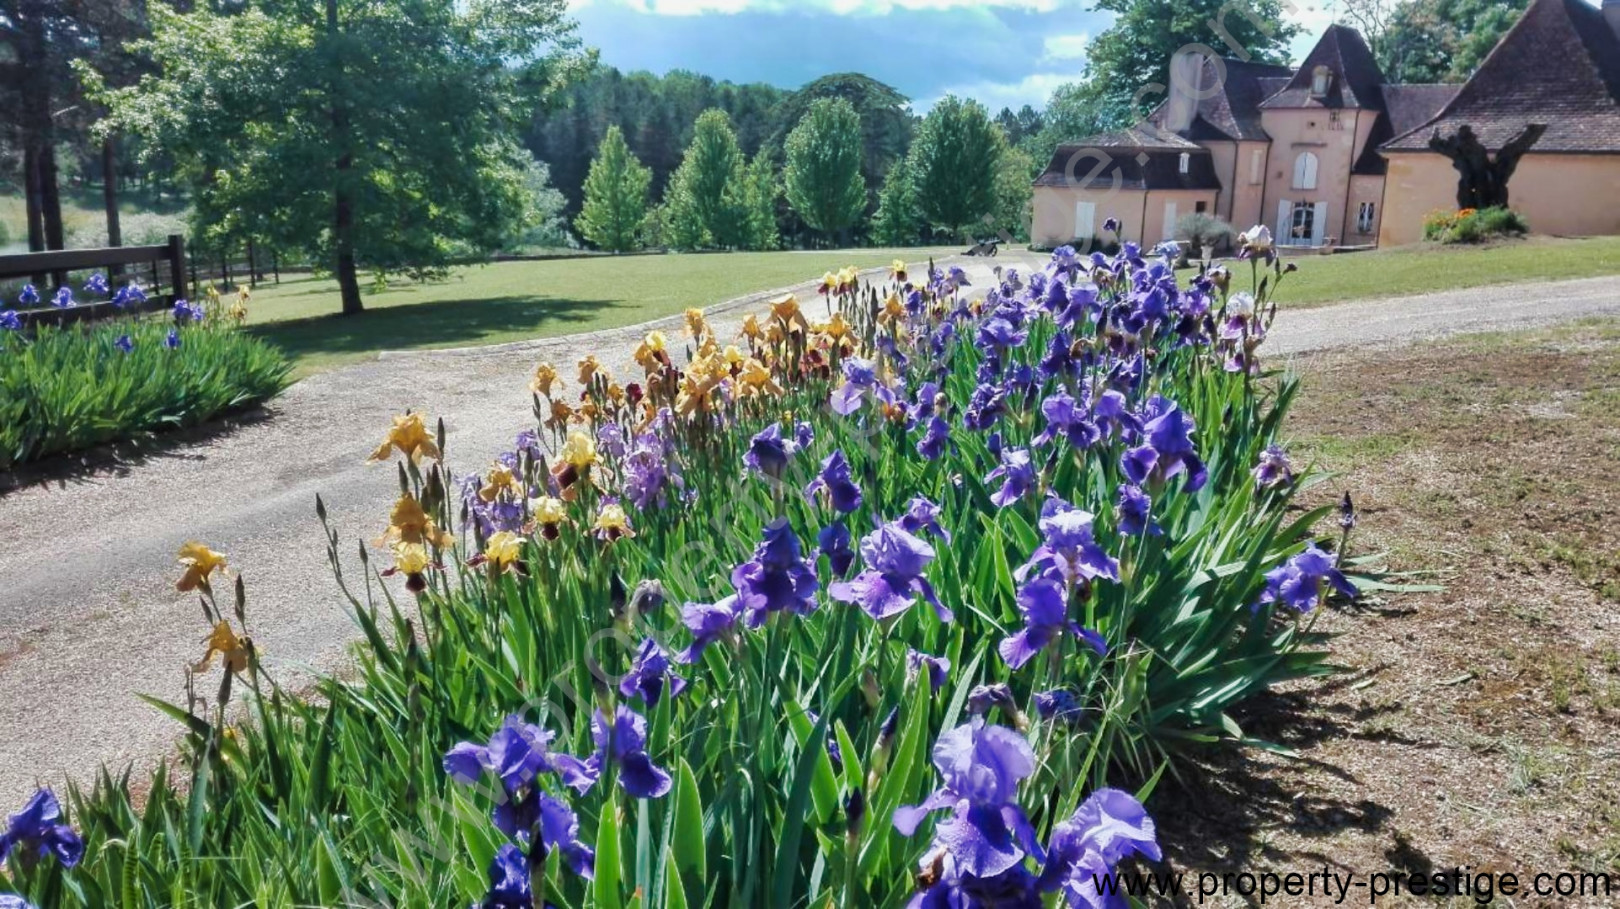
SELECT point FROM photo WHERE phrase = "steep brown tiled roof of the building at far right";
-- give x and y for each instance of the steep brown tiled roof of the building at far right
(1559, 66)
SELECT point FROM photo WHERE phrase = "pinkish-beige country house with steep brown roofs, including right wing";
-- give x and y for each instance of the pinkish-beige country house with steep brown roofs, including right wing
(1332, 155)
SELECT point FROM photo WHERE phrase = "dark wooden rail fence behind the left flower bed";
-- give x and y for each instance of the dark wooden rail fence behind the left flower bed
(161, 273)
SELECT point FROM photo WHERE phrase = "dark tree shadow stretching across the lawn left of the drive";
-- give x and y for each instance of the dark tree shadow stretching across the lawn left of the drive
(450, 323)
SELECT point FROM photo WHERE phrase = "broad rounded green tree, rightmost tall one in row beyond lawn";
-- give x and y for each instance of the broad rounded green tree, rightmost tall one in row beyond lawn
(955, 164)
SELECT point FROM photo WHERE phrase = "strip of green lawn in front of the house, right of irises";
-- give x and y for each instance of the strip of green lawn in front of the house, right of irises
(1423, 270)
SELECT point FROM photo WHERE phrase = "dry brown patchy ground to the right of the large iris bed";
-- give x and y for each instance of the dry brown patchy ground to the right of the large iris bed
(1473, 727)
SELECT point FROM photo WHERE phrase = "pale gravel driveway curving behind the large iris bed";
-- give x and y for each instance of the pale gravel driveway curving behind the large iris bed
(88, 610)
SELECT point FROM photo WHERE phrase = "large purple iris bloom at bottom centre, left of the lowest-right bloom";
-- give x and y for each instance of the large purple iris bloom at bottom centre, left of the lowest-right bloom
(981, 769)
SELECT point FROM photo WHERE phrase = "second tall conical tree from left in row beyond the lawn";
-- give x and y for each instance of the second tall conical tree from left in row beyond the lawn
(702, 202)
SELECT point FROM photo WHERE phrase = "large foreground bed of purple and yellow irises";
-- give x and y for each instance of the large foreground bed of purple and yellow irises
(903, 595)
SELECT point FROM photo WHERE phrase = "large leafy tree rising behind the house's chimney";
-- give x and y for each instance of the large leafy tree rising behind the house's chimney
(1132, 58)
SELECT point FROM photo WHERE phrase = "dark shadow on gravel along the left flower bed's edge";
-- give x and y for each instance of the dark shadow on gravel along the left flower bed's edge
(121, 459)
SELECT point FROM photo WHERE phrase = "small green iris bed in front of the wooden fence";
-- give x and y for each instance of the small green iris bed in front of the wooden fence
(74, 388)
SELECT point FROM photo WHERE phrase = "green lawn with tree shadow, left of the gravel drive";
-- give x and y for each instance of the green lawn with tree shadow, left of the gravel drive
(526, 301)
